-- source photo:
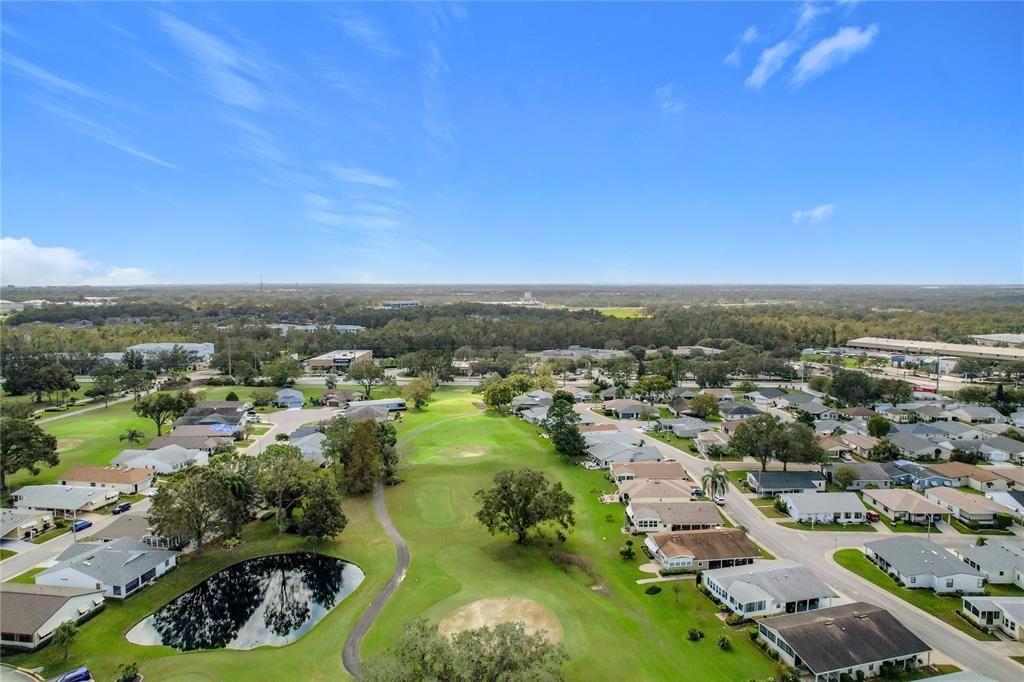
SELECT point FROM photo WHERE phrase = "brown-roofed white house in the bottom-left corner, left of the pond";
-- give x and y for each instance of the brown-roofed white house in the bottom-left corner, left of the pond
(32, 613)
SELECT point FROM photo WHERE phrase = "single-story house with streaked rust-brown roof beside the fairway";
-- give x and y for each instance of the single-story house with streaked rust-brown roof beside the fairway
(702, 550)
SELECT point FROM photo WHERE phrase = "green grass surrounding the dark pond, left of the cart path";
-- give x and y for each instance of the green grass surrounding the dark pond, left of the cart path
(101, 644)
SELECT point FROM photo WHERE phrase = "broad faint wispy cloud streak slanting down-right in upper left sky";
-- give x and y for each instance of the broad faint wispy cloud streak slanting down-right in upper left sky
(230, 74)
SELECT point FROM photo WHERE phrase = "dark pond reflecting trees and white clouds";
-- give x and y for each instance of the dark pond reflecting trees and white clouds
(271, 601)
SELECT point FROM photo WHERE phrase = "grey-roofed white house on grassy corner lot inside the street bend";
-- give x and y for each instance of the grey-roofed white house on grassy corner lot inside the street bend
(921, 564)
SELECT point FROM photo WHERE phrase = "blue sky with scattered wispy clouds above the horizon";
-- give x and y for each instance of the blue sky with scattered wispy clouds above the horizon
(729, 143)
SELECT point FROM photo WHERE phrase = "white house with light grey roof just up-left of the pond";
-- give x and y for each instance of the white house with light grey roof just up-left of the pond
(120, 568)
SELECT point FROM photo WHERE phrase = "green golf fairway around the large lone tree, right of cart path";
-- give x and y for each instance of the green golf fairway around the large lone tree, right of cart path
(600, 606)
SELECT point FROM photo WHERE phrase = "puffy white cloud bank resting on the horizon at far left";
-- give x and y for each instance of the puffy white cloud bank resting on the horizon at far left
(26, 265)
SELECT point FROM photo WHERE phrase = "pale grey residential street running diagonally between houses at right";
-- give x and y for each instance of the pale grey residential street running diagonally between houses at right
(816, 549)
